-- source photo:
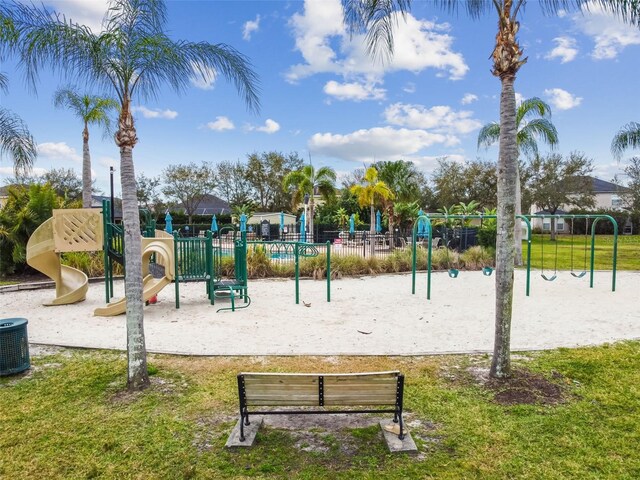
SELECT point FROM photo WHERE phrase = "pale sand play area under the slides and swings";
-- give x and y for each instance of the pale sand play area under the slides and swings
(366, 316)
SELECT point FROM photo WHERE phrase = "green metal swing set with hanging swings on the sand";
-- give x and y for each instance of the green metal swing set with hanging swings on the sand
(488, 270)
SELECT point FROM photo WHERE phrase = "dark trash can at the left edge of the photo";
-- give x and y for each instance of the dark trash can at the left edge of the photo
(14, 346)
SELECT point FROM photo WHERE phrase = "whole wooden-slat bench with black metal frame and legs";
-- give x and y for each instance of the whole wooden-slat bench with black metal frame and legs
(379, 389)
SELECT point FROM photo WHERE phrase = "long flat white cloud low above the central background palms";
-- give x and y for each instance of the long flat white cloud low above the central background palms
(378, 143)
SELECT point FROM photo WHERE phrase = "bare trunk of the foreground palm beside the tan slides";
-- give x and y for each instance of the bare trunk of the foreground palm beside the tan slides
(126, 139)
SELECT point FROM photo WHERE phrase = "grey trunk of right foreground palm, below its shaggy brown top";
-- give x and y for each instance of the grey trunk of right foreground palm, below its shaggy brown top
(507, 176)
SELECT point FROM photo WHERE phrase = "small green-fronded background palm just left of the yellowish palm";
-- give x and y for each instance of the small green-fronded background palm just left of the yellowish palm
(308, 181)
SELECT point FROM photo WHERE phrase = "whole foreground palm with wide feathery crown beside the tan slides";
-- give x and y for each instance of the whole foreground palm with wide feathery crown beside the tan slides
(131, 58)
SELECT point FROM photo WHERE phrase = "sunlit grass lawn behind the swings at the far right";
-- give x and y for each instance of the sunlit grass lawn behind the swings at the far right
(628, 252)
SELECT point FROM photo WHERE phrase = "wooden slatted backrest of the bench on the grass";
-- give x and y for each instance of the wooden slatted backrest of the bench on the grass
(312, 389)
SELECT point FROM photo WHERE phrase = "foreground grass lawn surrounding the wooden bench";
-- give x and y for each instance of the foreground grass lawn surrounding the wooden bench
(71, 418)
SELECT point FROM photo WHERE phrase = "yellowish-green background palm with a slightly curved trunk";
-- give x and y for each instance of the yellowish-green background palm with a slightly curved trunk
(403, 179)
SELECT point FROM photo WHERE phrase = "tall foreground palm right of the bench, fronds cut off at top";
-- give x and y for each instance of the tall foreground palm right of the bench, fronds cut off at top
(379, 18)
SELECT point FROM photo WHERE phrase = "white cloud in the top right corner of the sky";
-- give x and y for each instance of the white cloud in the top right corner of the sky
(608, 32)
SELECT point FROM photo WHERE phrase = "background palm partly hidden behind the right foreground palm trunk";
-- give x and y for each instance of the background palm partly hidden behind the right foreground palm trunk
(532, 123)
